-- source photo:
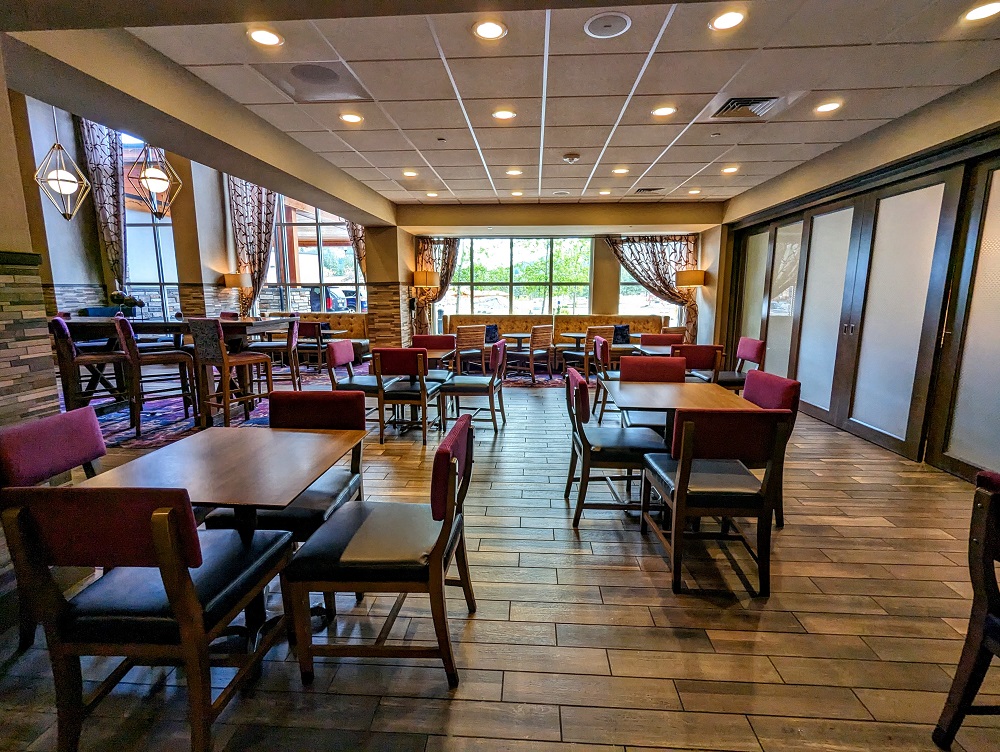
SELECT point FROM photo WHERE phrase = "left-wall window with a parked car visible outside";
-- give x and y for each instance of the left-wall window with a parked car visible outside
(313, 267)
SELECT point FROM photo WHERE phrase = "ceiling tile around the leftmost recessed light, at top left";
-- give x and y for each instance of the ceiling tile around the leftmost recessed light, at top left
(216, 44)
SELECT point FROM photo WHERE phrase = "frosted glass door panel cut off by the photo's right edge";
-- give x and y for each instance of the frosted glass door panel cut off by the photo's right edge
(975, 427)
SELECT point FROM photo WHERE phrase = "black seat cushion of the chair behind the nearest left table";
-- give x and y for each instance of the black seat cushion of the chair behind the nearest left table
(306, 513)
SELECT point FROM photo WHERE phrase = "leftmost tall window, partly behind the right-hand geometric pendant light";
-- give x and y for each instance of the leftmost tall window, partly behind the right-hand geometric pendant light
(151, 263)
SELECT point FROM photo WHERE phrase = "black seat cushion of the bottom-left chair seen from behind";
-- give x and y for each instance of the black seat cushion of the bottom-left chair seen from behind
(129, 604)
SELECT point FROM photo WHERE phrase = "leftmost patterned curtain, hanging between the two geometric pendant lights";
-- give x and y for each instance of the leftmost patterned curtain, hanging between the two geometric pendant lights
(105, 165)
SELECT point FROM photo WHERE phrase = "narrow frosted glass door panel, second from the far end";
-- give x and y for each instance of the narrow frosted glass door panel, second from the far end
(781, 306)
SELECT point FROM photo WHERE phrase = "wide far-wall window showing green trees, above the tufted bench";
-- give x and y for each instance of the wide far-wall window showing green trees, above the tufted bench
(520, 275)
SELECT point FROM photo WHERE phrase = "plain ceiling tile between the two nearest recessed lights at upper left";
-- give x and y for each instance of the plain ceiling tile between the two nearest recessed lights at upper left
(380, 38)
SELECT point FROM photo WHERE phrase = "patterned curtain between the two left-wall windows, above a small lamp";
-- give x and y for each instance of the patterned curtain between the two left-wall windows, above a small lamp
(252, 210)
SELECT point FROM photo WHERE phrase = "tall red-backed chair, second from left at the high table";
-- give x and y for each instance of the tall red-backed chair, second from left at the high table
(163, 386)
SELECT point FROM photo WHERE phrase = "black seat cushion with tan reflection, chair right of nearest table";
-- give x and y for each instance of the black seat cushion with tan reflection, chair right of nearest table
(369, 541)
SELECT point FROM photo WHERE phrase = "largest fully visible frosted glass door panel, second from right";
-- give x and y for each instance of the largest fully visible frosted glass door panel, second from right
(905, 236)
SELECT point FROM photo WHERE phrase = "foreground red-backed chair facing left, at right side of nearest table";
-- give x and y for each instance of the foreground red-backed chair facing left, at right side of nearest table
(392, 547)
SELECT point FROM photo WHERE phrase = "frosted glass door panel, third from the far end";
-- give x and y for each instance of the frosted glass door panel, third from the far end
(829, 248)
